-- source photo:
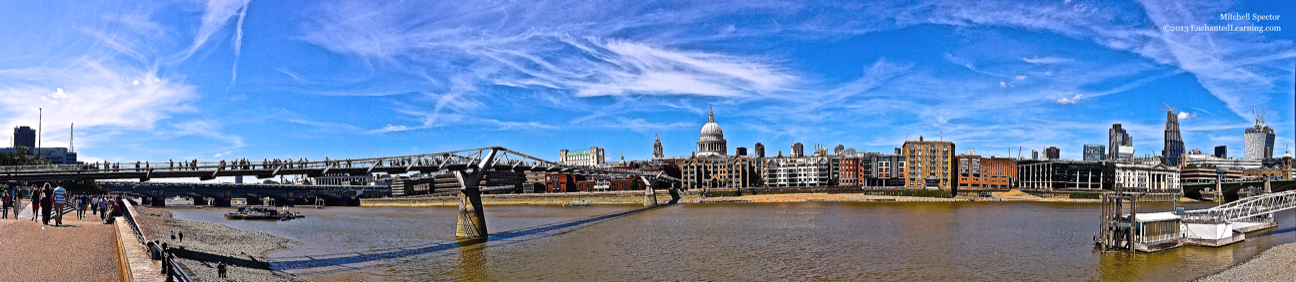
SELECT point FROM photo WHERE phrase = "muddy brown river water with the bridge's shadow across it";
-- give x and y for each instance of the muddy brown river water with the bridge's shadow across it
(733, 243)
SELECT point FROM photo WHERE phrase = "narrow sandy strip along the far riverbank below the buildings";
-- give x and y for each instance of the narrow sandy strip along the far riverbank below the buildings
(638, 199)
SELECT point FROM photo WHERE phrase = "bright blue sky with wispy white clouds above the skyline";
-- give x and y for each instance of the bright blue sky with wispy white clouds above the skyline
(218, 80)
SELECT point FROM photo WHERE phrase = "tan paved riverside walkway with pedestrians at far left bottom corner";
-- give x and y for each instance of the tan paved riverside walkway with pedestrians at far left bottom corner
(81, 250)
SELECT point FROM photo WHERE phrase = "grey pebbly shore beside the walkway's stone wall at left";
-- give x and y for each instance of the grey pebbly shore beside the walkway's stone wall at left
(207, 245)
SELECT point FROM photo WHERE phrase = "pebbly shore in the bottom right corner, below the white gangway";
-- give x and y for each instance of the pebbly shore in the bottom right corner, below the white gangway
(1275, 265)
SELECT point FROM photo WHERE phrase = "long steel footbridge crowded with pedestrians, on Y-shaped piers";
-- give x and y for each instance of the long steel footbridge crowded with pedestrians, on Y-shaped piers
(467, 166)
